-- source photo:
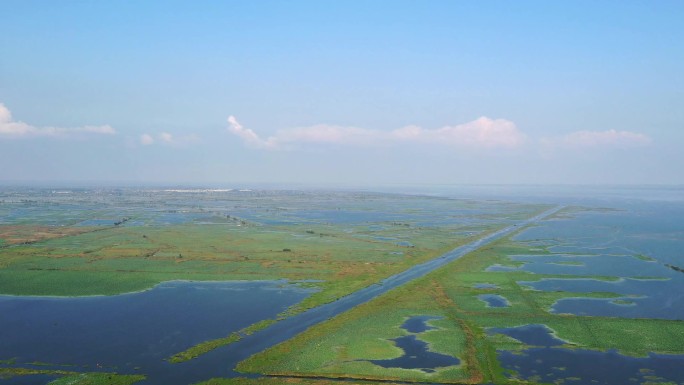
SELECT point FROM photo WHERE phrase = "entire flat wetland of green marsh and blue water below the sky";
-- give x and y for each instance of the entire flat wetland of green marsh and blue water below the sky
(224, 286)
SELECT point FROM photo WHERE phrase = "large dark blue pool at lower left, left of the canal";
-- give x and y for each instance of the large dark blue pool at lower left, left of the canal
(135, 332)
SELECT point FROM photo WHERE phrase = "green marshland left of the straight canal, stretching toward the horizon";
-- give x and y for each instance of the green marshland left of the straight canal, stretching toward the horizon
(135, 254)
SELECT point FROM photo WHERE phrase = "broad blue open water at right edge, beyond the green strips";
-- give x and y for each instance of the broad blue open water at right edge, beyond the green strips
(639, 240)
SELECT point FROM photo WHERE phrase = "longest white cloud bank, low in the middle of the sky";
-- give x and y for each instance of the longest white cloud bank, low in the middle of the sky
(480, 133)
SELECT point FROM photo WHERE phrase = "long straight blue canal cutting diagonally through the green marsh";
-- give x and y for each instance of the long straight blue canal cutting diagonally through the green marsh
(224, 360)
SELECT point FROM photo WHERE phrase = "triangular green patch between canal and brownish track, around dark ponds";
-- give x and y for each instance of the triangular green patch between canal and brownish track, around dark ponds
(342, 347)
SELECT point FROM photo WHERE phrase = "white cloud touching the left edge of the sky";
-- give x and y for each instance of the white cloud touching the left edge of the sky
(13, 129)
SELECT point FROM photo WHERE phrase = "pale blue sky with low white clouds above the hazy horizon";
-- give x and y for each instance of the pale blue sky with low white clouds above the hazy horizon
(342, 92)
